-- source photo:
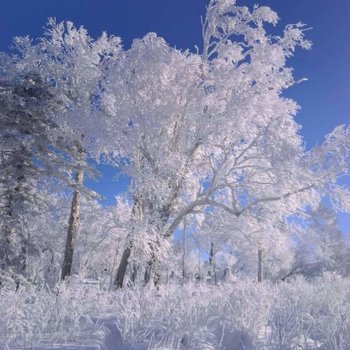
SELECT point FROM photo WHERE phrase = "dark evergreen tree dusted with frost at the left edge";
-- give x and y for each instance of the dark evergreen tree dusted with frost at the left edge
(31, 153)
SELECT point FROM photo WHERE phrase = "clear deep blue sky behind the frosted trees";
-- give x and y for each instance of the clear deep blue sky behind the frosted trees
(324, 98)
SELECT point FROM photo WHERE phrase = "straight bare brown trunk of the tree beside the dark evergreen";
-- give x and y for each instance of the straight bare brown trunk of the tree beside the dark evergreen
(73, 226)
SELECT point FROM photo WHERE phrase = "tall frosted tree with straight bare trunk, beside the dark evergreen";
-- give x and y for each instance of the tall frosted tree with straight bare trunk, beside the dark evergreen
(74, 65)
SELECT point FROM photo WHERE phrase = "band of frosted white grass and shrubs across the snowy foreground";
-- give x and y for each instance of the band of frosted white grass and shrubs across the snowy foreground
(241, 316)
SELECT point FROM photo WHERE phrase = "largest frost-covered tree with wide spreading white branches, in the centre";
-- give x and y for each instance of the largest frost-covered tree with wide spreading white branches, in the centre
(213, 130)
